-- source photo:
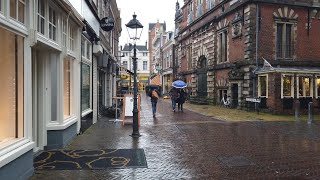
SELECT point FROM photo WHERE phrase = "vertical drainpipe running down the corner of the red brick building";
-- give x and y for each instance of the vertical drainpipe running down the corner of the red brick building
(254, 94)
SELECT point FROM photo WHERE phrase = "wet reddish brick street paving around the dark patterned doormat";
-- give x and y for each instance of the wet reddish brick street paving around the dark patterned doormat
(188, 145)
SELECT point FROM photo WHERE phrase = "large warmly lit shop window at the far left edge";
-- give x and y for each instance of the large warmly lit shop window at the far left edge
(12, 87)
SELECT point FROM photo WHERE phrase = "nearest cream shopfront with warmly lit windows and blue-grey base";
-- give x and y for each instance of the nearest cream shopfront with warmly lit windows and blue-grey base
(40, 61)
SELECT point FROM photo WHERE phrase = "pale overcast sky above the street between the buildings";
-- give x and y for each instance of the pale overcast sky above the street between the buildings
(147, 11)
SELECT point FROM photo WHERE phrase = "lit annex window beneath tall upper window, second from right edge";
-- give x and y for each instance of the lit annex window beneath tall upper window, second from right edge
(304, 86)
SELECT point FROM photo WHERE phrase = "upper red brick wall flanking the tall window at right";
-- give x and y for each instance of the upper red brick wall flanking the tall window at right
(306, 47)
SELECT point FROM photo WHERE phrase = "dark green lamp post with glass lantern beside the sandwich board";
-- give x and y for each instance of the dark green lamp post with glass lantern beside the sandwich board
(134, 28)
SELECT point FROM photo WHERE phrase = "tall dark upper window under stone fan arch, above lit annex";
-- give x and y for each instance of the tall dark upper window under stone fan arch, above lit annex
(284, 40)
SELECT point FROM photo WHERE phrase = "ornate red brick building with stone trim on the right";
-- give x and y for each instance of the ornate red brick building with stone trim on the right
(250, 48)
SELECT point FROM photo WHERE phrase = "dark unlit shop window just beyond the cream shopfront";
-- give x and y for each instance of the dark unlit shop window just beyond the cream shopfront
(85, 87)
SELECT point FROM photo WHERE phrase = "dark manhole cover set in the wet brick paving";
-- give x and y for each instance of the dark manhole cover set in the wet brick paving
(235, 161)
